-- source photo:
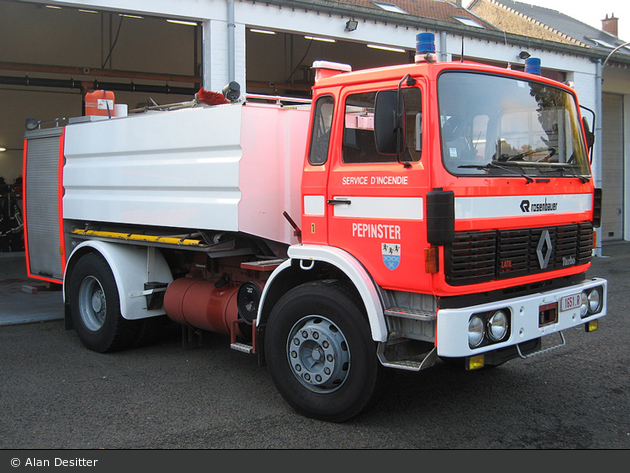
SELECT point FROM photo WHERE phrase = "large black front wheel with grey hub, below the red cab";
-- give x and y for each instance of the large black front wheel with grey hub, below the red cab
(320, 352)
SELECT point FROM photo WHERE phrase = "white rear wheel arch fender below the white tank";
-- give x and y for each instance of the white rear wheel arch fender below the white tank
(131, 267)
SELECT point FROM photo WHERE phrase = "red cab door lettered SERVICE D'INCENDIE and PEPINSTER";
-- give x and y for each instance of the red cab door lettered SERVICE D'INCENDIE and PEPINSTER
(375, 204)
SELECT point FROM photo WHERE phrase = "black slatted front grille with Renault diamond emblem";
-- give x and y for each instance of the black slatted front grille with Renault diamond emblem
(476, 257)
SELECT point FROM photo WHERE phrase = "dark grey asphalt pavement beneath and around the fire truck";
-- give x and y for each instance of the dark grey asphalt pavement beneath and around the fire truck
(55, 394)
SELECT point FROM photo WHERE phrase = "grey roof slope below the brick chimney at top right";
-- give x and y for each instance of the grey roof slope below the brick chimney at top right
(582, 33)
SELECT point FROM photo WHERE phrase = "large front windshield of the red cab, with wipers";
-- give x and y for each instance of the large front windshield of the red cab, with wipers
(495, 125)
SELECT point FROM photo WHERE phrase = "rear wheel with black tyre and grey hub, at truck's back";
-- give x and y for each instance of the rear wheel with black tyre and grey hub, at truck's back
(95, 307)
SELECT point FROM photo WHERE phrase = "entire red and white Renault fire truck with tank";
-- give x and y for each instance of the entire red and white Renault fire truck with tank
(404, 216)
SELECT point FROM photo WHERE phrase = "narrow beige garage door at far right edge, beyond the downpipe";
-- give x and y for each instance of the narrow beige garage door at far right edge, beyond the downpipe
(612, 167)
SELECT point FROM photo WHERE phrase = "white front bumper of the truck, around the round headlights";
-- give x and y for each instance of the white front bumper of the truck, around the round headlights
(524, 321)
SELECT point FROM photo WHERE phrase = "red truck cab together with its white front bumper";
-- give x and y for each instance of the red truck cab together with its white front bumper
(465, 187)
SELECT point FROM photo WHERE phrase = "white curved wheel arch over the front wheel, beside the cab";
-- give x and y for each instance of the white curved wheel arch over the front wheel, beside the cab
(325, 260)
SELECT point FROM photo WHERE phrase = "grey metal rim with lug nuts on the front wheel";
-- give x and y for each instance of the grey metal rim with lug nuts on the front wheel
(318, 354)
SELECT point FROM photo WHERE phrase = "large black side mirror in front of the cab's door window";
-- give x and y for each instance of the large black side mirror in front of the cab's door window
(389, 122)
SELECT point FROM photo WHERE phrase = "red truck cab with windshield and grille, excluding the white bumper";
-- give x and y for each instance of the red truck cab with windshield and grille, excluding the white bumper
(468, 137)
